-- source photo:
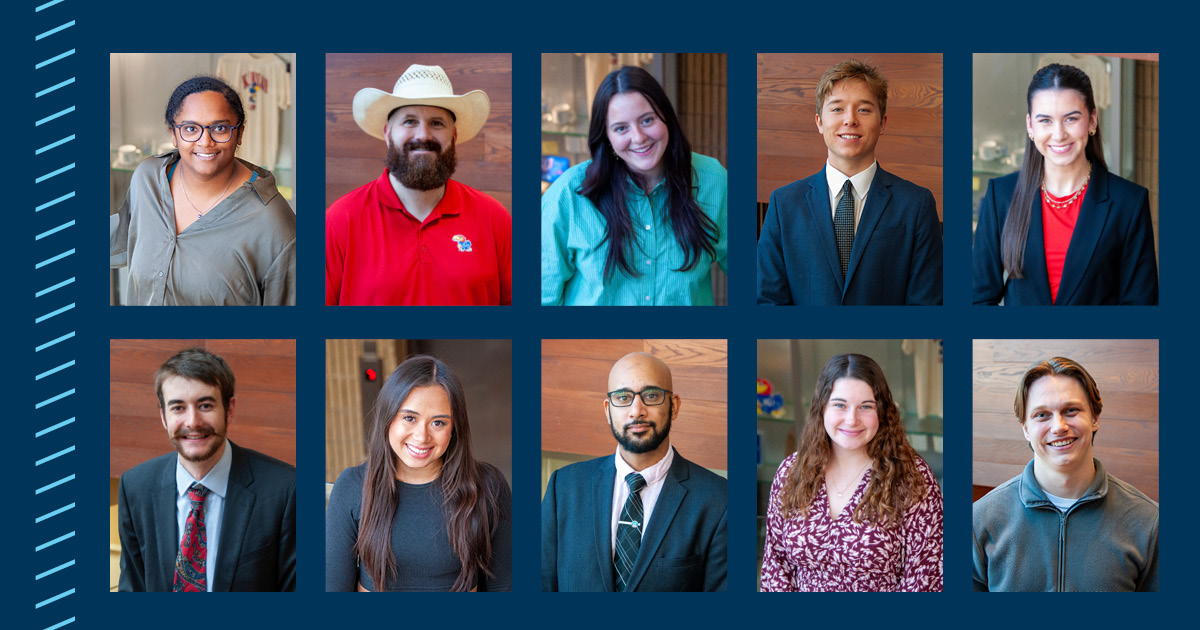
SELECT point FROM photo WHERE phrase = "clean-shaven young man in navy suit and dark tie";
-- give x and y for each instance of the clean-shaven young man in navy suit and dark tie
(854, 233)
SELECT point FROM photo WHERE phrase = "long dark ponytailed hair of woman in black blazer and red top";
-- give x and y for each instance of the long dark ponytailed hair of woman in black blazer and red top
(1029, 184)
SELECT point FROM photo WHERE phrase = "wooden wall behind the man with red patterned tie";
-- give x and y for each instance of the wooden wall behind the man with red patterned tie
(265, 417)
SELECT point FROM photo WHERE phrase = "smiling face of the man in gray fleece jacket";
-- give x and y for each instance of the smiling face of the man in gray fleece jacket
(1059, 424)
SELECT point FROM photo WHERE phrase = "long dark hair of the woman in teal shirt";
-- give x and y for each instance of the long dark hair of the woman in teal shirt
(607, 183)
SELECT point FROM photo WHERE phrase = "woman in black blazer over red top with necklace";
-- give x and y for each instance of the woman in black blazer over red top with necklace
(1064, 231)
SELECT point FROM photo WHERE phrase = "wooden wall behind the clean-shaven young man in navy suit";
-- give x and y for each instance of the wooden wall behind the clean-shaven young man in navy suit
(790, 148)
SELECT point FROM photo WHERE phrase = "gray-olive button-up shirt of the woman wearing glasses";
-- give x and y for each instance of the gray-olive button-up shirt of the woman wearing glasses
(241, 253)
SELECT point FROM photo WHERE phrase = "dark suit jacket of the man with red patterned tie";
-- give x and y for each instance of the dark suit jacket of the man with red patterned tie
(259, 526)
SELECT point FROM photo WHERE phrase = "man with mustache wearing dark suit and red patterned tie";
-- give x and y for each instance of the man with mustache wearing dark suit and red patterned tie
(212, 517)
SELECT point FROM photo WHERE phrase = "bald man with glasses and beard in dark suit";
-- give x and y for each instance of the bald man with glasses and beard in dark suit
(644, 519)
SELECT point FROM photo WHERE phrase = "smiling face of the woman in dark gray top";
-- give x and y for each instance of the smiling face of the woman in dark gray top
(421, 435)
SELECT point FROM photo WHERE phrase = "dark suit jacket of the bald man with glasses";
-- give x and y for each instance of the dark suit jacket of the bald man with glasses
(683, 548)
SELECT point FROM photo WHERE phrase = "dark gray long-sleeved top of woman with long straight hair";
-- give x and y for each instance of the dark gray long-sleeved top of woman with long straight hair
(421, 541)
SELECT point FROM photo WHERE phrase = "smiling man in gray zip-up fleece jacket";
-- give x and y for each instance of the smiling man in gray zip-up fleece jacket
(1064, 524)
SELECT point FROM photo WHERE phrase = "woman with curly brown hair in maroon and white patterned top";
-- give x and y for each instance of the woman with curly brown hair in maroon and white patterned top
(855, 508)
